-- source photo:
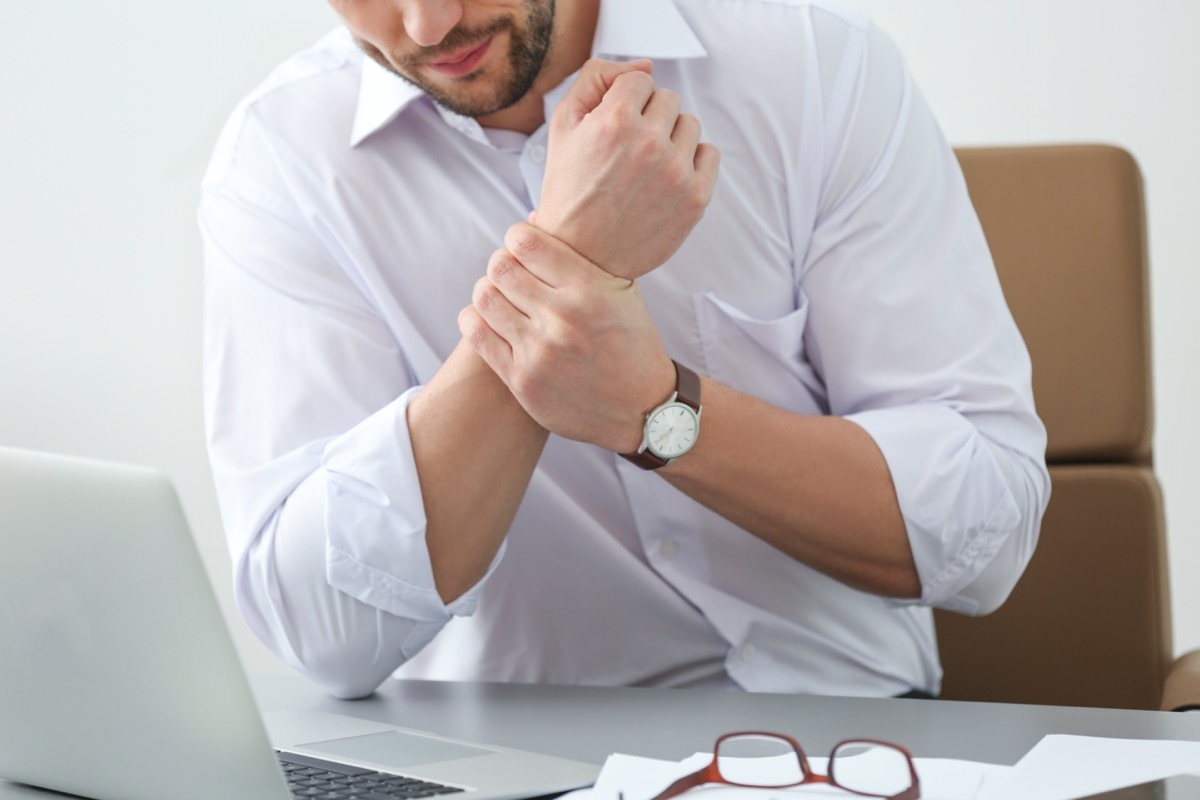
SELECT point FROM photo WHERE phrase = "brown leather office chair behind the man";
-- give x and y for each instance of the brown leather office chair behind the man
(1090, 622)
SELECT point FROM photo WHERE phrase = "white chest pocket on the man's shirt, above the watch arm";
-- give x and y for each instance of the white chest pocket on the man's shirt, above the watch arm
(764, 358)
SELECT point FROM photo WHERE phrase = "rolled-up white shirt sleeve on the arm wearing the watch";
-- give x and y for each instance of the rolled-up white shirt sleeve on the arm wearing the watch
(914, 341)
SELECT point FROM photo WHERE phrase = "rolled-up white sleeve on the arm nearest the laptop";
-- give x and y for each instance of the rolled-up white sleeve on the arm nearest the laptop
(307, 394)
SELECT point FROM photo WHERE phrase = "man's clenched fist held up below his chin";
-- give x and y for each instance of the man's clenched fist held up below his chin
(627, 177)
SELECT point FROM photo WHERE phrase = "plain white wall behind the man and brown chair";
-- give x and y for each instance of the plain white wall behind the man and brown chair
(111, 107)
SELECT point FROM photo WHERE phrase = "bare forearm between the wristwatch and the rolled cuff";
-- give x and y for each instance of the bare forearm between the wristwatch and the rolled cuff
(815, 488)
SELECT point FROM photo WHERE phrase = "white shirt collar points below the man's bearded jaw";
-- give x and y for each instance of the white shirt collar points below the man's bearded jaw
(650, 29)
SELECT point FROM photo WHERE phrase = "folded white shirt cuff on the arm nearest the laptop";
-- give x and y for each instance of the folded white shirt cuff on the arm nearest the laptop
(375, 521)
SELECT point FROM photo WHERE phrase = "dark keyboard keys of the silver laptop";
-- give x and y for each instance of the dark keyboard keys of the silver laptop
(315, 778)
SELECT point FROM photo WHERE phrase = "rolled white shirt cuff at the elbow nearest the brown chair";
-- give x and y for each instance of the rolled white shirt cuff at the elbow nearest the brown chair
(955, 497)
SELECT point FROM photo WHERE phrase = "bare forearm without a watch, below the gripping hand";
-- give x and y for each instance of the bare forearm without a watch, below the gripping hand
(476, 452)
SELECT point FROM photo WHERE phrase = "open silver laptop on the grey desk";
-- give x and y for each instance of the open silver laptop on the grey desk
(119, 679)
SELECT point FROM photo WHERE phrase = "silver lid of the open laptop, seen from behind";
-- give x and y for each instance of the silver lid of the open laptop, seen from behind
(104, 694)
